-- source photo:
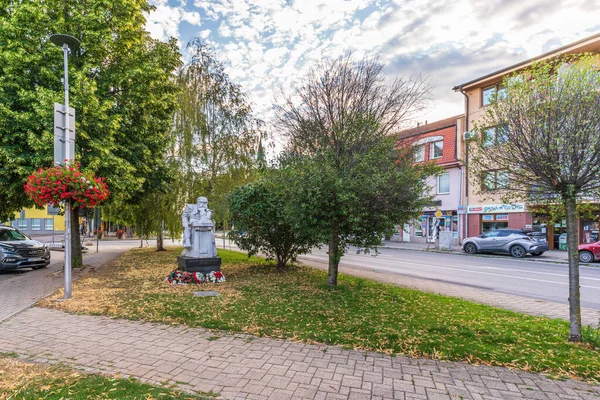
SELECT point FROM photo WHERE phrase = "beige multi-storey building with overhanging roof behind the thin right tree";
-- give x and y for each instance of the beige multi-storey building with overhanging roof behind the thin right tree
(488, 212)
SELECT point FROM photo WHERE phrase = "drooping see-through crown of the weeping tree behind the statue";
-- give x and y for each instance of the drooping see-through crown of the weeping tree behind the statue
(216, 134)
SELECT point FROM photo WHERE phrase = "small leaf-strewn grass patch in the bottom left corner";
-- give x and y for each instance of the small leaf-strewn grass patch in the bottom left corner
(20, 380)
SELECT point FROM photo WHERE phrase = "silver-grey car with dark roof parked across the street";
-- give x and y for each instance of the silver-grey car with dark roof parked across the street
(515, 242)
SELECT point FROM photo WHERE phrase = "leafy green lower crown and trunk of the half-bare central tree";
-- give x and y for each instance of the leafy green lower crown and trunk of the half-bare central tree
(354, 201)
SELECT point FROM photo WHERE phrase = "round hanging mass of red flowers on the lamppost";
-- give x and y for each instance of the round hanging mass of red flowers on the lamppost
(66, 182)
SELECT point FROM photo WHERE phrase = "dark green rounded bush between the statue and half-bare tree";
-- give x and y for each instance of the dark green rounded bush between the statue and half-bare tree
(263, 222)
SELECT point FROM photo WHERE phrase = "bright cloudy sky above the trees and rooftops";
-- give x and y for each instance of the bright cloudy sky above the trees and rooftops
(267, 44)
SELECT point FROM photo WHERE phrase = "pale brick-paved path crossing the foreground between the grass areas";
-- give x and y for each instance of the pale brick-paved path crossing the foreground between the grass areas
(244, 367)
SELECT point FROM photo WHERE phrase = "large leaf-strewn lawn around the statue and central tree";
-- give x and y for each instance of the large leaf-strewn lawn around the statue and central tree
(359, 313)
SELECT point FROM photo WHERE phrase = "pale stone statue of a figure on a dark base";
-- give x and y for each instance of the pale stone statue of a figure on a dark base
(198, 230)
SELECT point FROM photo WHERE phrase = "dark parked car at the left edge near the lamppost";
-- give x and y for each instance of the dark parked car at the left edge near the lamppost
(19, 251)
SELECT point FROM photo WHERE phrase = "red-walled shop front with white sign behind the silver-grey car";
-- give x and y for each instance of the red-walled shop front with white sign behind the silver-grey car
(486, 217)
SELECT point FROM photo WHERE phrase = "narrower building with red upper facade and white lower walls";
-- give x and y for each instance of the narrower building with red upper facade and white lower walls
(437, 142)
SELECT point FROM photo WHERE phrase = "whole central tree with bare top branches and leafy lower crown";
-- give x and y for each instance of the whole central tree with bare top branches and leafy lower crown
(350, 184)
